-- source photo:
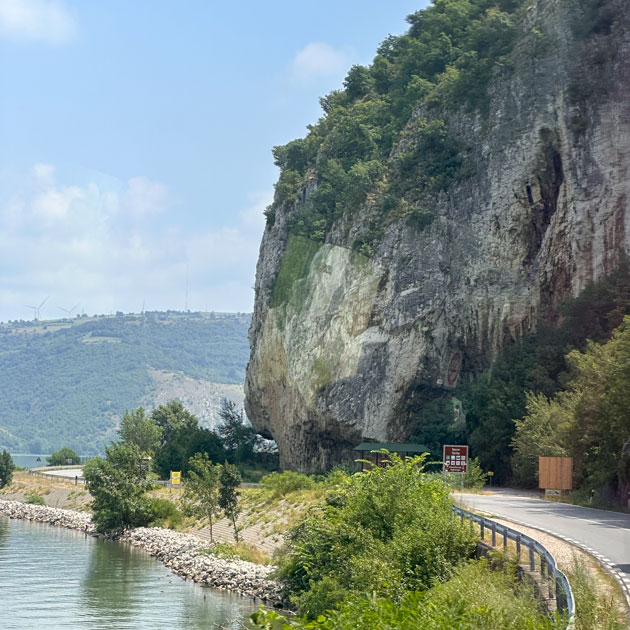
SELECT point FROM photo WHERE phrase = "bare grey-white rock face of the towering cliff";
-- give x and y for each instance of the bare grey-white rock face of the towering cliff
(359, 339)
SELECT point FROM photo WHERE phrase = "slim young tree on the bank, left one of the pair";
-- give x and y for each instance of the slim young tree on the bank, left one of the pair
(201, 489)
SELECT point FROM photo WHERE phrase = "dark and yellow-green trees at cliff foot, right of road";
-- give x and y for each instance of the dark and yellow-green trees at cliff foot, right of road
(527, 403)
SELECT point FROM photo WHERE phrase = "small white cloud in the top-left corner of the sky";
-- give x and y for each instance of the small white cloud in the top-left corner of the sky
(36, 20)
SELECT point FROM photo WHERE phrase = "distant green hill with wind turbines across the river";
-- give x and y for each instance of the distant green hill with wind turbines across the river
(68, 381)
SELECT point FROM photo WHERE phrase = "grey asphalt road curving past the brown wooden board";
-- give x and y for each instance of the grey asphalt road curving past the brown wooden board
(607, 533)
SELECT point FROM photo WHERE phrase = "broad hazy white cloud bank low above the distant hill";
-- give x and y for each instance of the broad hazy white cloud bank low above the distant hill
(98, 244)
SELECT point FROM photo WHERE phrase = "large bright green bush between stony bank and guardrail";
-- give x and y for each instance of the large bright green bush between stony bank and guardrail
(385, 531)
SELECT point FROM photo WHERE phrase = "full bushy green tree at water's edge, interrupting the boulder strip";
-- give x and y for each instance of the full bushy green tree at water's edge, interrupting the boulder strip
(118, 484)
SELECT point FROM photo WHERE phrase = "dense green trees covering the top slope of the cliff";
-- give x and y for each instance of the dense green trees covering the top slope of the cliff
(371, 142)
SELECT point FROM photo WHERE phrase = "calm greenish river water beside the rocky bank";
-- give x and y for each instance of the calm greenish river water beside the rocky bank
(51, 577)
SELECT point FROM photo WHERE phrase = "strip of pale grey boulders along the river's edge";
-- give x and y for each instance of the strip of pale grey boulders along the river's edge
(182, 553)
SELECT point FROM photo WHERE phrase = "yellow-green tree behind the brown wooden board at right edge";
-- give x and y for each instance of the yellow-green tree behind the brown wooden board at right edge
(589, 421)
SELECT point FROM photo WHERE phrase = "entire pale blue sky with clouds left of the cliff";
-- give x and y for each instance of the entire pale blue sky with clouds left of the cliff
(136, 137)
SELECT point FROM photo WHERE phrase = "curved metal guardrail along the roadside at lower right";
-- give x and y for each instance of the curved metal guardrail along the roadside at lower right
(556, 580)
